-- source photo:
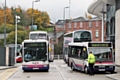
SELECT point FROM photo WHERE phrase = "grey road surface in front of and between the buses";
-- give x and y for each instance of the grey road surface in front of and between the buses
(58, 71)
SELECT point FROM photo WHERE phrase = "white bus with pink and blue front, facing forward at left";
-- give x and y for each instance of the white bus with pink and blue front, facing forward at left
(38, 55)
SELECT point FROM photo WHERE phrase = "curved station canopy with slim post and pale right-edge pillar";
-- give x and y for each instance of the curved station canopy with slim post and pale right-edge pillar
(99, 8)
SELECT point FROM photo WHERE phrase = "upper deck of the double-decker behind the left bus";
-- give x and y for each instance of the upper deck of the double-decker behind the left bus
(38, 35)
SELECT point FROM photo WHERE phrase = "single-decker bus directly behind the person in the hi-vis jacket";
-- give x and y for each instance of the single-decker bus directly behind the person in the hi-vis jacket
(103, 51)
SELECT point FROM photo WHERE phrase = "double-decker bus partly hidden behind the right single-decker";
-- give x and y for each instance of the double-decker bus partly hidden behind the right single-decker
(75, 36)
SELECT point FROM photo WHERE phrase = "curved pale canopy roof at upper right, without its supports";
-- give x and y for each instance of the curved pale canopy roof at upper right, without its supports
(99, 6)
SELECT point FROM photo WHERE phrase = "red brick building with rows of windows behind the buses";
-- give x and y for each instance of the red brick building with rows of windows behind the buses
(94, 25)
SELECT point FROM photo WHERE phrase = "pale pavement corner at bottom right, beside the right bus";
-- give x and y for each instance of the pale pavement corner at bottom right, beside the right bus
(115, 76)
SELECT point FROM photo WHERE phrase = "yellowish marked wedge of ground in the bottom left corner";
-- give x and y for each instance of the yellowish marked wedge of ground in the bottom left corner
(7, 73)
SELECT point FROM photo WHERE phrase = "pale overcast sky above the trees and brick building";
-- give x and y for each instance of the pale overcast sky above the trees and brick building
(54, 8)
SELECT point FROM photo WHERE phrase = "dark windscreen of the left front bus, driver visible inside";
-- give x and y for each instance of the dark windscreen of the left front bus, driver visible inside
(35, 53)
